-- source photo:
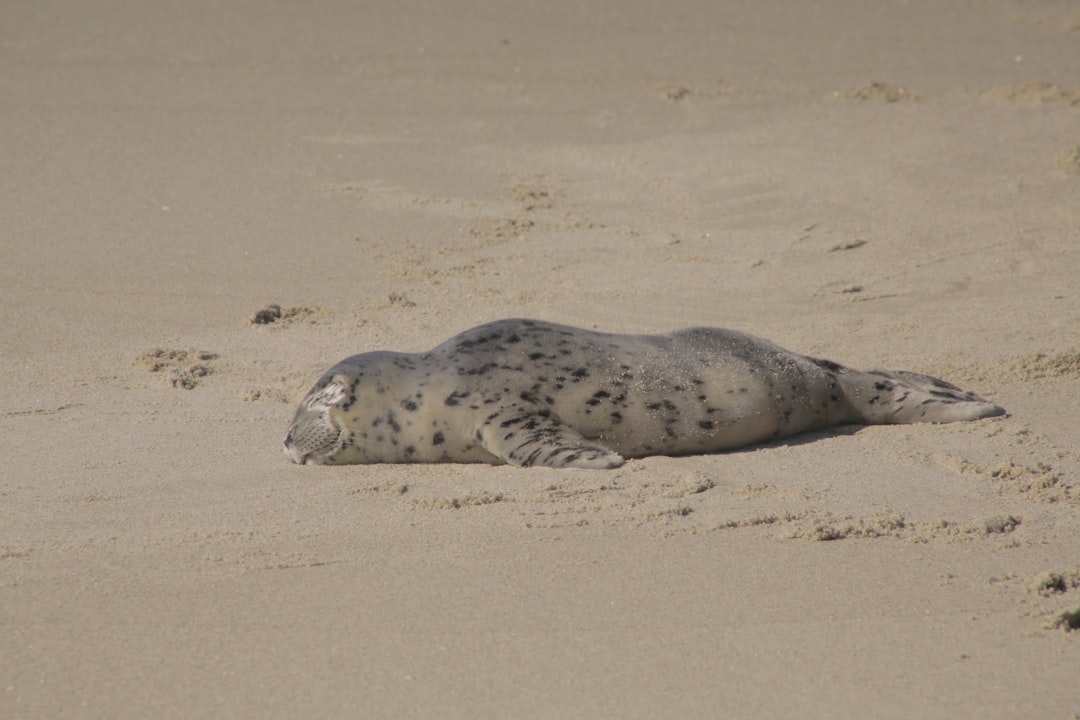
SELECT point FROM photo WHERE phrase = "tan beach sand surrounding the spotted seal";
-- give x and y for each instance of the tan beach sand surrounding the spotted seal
(882, 184)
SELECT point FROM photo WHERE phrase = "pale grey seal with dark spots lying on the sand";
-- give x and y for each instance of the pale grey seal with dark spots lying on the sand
(526, 392)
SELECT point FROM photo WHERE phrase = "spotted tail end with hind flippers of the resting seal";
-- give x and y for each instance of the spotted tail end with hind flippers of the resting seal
(899, 397)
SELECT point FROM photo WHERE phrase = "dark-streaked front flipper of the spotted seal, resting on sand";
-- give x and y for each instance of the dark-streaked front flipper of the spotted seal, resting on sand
(525, 437)
